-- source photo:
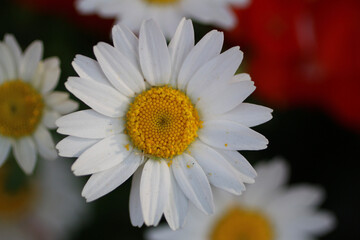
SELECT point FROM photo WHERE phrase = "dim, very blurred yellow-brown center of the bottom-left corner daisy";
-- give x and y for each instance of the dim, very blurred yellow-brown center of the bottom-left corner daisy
(13, 204)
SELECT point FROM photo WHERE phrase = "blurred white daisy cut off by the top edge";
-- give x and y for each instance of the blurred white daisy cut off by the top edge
(167, 13)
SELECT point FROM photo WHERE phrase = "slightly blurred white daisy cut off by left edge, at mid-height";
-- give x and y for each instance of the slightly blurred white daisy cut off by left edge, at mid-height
(28, 105)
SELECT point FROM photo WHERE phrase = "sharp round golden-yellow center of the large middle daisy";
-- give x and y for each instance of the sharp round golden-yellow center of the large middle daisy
(162, 122)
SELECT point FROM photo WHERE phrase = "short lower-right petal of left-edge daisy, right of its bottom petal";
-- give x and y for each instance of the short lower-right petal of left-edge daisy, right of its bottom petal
(45, 143)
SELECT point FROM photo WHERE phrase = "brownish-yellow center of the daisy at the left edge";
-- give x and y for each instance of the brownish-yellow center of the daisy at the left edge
(21, 108)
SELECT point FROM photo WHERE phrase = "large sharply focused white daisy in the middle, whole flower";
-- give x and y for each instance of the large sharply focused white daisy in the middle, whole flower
(171, 115)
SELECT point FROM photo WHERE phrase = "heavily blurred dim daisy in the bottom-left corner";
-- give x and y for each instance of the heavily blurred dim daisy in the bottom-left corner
(46, 207)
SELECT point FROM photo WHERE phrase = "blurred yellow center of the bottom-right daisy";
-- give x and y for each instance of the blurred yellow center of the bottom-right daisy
(242, 224)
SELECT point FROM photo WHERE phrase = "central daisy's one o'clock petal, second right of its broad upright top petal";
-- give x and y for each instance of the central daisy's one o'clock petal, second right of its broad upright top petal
(207, 48)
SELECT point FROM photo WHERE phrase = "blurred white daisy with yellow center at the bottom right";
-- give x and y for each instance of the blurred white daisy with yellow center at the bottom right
(268, 210)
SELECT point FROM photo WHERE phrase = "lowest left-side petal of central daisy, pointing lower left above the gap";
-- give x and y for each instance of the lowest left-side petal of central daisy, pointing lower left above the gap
(106, 181)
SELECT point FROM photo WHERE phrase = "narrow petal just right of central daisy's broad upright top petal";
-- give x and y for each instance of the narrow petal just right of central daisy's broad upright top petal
(179, 48)
